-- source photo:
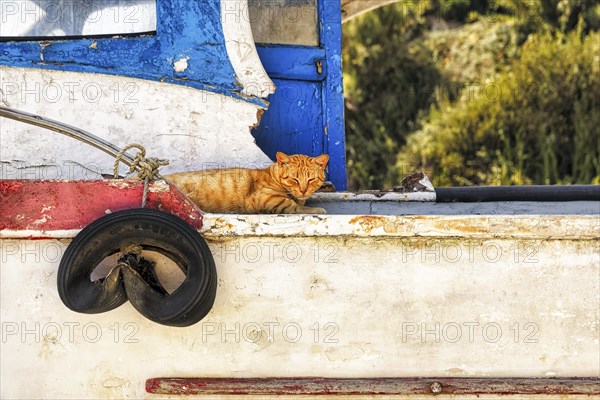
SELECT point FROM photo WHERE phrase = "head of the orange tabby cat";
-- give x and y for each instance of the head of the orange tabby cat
(301, 175)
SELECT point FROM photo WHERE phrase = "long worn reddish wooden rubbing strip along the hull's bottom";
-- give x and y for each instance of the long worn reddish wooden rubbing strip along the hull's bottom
(372, 386)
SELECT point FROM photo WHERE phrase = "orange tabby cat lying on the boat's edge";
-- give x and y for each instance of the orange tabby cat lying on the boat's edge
(281, 188)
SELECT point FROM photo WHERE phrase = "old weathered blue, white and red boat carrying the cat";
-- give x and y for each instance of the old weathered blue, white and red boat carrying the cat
(454, 293)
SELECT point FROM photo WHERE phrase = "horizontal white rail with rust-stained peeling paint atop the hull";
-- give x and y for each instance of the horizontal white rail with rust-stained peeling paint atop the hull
(514, 227)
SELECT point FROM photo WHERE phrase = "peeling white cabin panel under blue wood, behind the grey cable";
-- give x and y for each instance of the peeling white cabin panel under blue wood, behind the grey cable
(191, 128)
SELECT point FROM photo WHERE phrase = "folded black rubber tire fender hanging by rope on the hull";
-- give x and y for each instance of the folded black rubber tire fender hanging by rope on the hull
(151, 230)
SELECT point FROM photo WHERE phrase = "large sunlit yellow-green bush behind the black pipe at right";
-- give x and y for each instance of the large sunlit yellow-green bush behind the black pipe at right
(537, 123)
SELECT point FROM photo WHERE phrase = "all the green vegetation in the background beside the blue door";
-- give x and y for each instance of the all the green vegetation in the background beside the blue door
(474, 92)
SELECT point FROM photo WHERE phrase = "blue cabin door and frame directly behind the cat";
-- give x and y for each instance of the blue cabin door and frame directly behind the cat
(306, 113)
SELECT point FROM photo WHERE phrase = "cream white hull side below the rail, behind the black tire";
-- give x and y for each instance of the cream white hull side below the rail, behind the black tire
(336, 306)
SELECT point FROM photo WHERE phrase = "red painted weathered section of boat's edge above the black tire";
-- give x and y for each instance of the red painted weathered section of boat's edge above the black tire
(67, 205)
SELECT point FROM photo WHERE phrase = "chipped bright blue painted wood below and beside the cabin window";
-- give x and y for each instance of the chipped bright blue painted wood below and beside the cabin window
(185, 29)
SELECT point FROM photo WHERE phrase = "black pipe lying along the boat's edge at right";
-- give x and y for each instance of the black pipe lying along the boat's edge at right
(518, 193)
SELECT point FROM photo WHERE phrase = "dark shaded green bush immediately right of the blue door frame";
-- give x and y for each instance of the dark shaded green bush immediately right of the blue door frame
(386, 85)
